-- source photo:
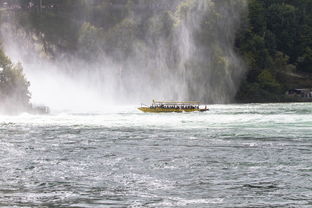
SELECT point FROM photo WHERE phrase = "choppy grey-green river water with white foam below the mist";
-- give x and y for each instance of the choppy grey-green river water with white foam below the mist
(255, 155)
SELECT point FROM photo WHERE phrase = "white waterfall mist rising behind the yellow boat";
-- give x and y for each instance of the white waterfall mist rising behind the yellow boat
(157, 49)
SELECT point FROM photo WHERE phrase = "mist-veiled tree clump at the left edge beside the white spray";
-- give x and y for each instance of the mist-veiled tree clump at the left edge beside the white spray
(13, 86)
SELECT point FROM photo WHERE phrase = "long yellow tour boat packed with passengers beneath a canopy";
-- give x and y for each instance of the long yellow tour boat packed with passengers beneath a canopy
(172, 106)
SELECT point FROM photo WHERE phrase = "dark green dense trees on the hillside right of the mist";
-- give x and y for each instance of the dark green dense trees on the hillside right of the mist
(277, 48)
